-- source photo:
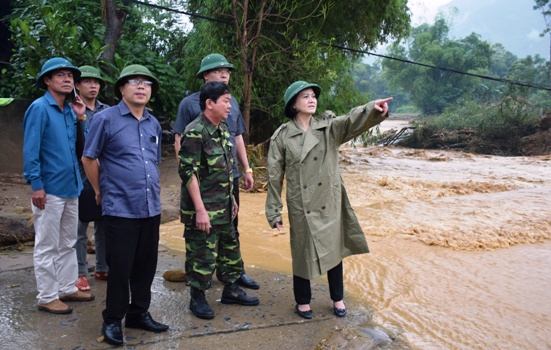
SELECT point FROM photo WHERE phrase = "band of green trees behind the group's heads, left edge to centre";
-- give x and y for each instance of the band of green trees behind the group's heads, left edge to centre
(279, 41)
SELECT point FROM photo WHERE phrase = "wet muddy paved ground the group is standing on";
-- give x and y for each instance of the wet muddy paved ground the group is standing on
(266, 326)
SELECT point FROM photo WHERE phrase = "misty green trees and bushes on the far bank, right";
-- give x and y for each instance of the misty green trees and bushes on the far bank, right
(481, 115)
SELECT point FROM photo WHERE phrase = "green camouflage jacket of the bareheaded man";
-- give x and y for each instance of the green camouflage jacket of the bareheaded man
(206, 152)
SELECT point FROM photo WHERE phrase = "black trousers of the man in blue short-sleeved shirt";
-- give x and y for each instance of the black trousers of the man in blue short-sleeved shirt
(131, 253)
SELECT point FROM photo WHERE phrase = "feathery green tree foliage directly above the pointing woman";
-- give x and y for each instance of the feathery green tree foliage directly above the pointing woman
(282, 41)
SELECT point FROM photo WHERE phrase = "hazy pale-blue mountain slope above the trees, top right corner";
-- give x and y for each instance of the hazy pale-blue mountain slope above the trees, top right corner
(513, 23)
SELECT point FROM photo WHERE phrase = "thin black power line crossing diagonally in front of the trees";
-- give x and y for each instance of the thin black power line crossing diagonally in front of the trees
(344, 48)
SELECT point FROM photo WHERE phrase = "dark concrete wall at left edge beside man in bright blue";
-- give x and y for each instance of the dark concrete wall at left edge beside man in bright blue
(11, 136)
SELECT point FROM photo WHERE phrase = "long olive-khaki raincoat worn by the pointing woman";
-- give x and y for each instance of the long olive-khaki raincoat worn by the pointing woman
(324, 228)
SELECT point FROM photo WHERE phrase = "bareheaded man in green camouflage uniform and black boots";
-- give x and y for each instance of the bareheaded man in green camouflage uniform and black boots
(207, 203)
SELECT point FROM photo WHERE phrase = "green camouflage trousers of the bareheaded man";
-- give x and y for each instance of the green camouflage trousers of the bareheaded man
(206, 252)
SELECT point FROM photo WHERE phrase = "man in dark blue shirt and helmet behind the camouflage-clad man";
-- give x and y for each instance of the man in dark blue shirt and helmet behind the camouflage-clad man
(216, 68)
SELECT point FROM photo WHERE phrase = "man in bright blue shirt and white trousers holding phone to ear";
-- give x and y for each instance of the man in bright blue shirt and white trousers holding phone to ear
(51, 168)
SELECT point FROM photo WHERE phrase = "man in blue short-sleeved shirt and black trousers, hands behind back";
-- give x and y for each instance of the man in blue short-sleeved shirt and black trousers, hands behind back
(121, 158)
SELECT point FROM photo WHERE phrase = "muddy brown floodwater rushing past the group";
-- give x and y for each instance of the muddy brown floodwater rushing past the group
(460, 252)
